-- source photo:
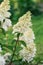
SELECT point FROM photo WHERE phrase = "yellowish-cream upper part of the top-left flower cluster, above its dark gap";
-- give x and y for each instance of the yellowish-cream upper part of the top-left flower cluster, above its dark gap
(4, 9)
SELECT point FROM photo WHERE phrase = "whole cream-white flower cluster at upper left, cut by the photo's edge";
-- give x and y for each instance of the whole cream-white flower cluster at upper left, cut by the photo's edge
(5, 15)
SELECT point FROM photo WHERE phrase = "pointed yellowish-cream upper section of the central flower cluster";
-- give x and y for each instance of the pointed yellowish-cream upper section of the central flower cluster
(23, 23)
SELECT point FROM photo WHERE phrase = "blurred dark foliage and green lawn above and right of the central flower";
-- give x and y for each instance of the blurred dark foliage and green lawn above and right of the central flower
(19, 7)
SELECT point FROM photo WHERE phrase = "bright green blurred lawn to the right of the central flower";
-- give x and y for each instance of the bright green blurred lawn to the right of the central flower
(38, 30)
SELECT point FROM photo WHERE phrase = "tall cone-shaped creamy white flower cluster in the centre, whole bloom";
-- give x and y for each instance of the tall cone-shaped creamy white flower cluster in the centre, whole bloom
(24, 26)
